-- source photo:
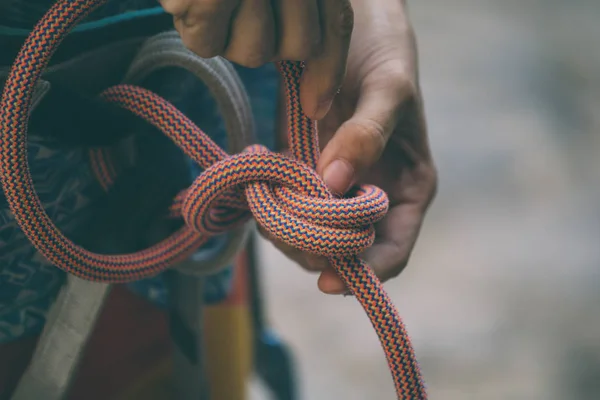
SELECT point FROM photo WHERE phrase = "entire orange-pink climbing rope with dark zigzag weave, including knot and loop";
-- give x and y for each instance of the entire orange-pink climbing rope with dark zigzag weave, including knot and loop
(284, 194)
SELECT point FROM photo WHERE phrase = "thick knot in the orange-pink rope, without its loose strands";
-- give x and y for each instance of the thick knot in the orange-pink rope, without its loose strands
(288, 200)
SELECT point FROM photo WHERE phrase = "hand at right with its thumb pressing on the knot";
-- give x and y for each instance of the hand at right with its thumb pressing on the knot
(376, 133)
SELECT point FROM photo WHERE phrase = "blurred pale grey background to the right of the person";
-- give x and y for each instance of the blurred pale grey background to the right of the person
(501, 295)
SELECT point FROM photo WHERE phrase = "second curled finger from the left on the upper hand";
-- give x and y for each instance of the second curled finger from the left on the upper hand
(252, 39)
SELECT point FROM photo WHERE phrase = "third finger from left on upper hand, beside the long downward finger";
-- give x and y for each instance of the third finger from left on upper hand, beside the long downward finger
(299, 29)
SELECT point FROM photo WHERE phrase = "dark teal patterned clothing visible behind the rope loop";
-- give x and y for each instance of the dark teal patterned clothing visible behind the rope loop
(28, 283)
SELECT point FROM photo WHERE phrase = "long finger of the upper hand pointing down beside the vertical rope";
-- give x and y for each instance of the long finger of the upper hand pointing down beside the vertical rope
(325, 72)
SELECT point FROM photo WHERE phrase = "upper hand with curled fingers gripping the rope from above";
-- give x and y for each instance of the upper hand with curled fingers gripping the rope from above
(254, 32)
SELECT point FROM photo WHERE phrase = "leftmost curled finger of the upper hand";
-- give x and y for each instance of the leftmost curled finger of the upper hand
(203, 25)
